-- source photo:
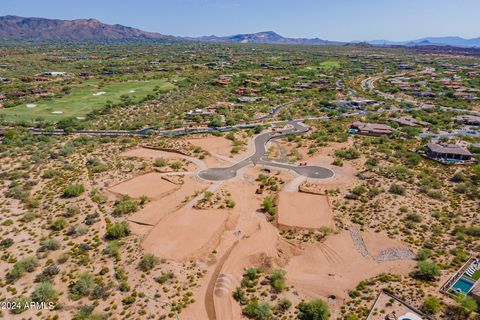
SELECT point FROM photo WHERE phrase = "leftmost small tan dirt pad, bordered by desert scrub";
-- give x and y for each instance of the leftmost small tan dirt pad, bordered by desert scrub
(150, 184)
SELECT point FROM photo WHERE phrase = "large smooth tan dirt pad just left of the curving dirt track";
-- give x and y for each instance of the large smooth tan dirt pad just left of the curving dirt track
(187, 234)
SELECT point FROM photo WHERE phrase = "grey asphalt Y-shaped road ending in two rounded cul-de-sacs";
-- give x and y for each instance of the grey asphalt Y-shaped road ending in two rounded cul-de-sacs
(316, 172)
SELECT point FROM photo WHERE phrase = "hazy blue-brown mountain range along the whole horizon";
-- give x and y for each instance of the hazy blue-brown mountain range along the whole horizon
(81, 30)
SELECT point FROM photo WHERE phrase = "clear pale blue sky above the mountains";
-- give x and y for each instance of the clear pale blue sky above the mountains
(343, 20)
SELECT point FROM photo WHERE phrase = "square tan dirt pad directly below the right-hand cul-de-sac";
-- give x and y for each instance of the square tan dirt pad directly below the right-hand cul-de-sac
(303, 210)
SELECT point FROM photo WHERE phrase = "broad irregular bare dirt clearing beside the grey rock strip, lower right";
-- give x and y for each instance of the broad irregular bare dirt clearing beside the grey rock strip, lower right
(334, 267)
